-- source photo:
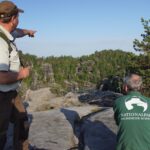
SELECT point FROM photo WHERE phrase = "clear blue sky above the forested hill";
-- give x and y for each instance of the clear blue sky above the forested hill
(80, 27)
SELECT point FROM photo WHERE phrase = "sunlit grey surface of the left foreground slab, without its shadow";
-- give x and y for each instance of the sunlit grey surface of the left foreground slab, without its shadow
(50, 130)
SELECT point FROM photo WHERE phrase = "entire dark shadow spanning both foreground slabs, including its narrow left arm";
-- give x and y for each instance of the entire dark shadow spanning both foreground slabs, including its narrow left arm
(91, 134)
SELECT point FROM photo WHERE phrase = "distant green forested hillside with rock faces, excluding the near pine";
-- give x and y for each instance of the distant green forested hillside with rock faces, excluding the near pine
(66, 73)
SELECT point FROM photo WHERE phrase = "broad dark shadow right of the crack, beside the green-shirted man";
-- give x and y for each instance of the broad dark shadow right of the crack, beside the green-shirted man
(96, 135)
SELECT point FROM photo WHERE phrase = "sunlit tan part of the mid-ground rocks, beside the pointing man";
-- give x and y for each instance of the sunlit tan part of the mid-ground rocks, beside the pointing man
(43, 99)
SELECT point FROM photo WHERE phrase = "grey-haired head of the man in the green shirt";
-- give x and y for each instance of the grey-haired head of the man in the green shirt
(133, 82)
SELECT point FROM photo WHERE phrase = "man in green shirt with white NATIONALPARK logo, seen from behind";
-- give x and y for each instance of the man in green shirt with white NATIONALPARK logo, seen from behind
(132, 115)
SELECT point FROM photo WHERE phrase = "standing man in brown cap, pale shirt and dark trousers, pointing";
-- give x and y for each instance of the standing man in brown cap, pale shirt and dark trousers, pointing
(10, 76)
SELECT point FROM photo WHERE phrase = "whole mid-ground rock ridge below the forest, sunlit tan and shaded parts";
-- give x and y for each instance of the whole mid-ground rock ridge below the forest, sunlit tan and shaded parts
(43, 99)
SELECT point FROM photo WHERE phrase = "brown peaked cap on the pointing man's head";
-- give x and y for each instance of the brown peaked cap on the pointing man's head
(8, 8)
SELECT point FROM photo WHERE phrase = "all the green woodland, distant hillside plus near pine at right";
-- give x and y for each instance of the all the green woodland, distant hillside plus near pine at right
(105, 67)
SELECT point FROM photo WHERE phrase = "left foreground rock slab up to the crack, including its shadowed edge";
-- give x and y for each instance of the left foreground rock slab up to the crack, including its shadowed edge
(56, 129)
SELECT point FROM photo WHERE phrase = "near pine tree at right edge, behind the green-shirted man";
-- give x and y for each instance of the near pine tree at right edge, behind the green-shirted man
(141, 64)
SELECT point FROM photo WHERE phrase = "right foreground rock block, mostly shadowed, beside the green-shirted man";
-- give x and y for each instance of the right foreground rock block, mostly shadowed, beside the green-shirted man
(98, 131)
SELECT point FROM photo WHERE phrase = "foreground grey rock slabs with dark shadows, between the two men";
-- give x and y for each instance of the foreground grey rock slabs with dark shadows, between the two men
(74, 128)
